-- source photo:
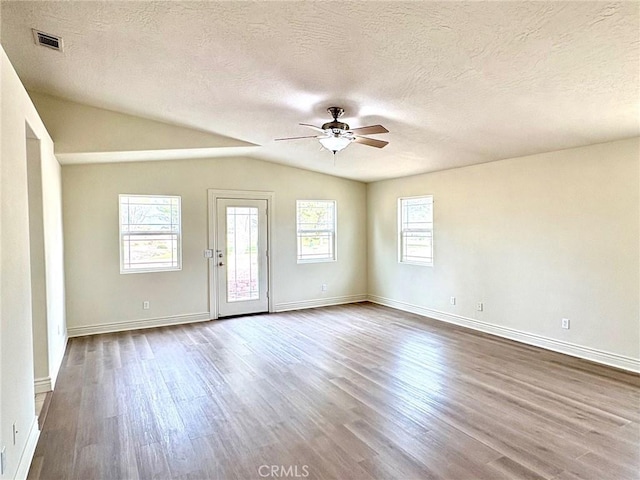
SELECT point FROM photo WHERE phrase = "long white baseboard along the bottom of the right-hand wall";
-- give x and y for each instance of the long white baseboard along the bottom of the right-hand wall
(587, 353)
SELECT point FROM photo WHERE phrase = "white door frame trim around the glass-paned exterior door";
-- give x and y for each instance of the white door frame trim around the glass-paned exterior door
(212, 217)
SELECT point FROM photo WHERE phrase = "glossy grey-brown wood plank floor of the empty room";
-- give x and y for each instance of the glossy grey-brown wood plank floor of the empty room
(348, 392)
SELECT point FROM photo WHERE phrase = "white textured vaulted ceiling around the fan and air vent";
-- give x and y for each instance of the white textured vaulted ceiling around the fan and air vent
(455, 83)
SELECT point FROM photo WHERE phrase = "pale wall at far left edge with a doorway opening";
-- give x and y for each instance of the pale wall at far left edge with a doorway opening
(16, 339)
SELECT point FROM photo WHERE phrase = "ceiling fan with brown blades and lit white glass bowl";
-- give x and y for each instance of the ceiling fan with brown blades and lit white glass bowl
(336, 136)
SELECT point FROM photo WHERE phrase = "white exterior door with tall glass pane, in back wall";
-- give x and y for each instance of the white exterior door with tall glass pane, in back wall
(241, 256)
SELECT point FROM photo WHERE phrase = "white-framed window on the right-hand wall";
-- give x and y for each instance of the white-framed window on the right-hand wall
(415, 227)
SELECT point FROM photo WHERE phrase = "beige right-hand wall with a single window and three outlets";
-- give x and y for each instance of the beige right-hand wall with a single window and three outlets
(536, 239)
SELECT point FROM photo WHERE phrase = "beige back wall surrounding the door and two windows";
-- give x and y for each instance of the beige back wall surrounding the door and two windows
(97, 294)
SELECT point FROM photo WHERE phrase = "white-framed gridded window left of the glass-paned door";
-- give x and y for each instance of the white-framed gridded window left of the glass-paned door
(150, 236)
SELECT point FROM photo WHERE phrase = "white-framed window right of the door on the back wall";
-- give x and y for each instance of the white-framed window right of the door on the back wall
(316, 220)
